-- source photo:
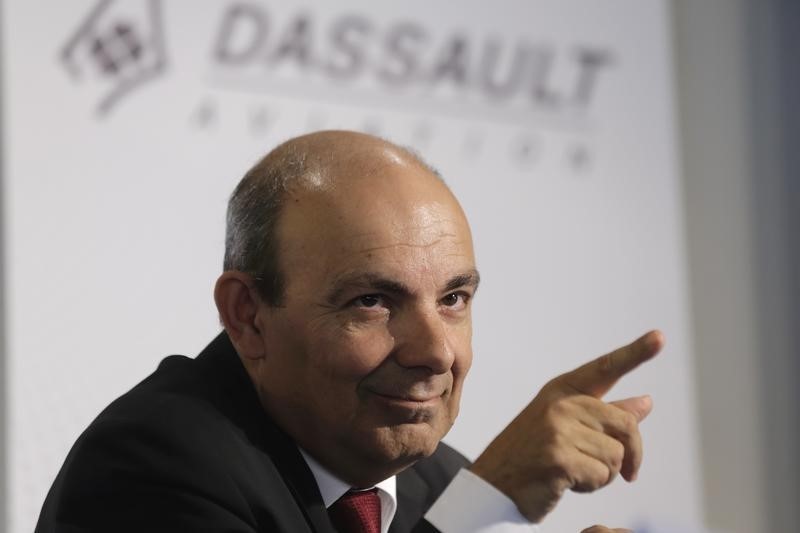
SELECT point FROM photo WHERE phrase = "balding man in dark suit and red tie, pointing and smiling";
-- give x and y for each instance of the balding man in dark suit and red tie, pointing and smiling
(349, 278)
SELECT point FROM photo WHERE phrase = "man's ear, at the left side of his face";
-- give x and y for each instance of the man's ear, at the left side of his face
(238, 303)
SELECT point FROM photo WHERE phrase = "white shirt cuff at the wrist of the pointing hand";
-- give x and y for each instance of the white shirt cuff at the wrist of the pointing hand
(471, 505)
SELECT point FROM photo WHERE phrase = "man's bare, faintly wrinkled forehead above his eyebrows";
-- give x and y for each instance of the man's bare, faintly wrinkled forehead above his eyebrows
(401, 219)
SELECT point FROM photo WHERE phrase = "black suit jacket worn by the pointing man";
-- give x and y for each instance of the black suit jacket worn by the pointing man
(191, 449)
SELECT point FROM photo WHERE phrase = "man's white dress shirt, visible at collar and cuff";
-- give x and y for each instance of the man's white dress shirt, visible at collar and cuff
(468, 505)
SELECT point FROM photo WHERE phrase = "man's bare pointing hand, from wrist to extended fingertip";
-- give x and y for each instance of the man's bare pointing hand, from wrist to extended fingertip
(568, 438)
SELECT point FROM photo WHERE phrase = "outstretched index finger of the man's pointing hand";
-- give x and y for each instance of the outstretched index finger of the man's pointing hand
(595, 378)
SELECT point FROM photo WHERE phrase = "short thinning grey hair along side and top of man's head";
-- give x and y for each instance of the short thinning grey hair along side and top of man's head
(254, 208)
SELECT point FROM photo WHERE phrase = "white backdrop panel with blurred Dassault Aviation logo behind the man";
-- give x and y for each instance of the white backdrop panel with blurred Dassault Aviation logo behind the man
(129, 123)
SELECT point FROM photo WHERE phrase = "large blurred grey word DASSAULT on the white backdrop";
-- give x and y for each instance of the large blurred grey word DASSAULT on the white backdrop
(260, 50)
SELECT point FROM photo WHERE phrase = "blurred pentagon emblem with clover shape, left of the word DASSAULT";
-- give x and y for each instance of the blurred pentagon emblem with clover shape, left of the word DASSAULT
(116, 48)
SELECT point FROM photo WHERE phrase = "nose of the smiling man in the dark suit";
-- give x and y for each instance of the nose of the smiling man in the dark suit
(421, 340)
